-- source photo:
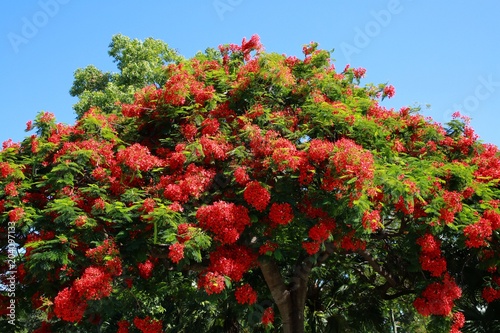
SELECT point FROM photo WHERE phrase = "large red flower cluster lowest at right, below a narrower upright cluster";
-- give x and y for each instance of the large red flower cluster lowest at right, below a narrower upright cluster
(437, 298)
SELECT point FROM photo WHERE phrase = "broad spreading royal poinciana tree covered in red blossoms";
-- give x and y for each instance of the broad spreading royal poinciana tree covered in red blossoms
(252, 181)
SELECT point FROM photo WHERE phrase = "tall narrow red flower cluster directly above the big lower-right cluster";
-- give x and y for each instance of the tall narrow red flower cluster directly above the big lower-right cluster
(430, 256)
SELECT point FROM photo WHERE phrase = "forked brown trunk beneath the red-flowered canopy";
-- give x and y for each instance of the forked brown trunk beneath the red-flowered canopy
(289, 299)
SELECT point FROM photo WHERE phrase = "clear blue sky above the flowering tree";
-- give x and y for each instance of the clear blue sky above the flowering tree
(445, 54)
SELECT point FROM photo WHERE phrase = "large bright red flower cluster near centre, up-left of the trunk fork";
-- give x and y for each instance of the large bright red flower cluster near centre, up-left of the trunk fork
(226, 220)
